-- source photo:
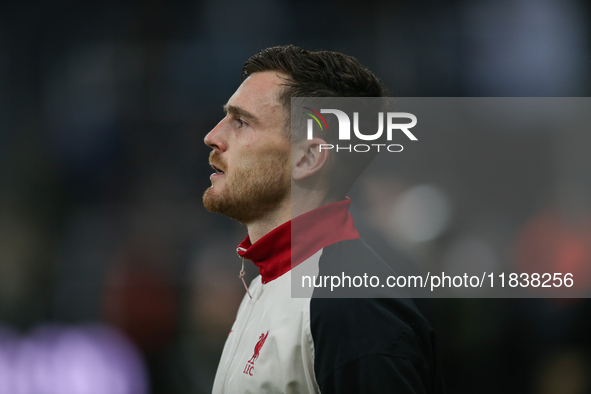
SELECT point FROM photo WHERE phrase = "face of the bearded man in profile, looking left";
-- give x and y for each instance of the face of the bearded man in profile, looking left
(250, 153)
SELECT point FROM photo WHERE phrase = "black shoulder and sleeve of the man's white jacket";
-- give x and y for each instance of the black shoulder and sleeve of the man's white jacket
(369, 345)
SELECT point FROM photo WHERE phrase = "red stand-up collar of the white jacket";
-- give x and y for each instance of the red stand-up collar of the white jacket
(296, 240)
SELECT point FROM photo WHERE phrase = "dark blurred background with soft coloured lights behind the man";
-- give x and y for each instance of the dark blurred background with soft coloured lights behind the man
(104, 242)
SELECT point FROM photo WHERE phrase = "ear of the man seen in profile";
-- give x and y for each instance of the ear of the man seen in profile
(309, 157)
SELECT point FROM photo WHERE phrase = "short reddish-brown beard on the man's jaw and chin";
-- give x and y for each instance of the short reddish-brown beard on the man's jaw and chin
(251, 193)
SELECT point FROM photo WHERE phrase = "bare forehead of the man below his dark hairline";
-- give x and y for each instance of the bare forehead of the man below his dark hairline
(258, 94)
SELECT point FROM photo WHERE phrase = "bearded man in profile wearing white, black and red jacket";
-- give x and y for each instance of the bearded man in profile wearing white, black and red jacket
(264, 178)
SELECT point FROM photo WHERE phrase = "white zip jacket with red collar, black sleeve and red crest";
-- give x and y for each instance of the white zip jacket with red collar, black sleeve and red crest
(281, 344)
